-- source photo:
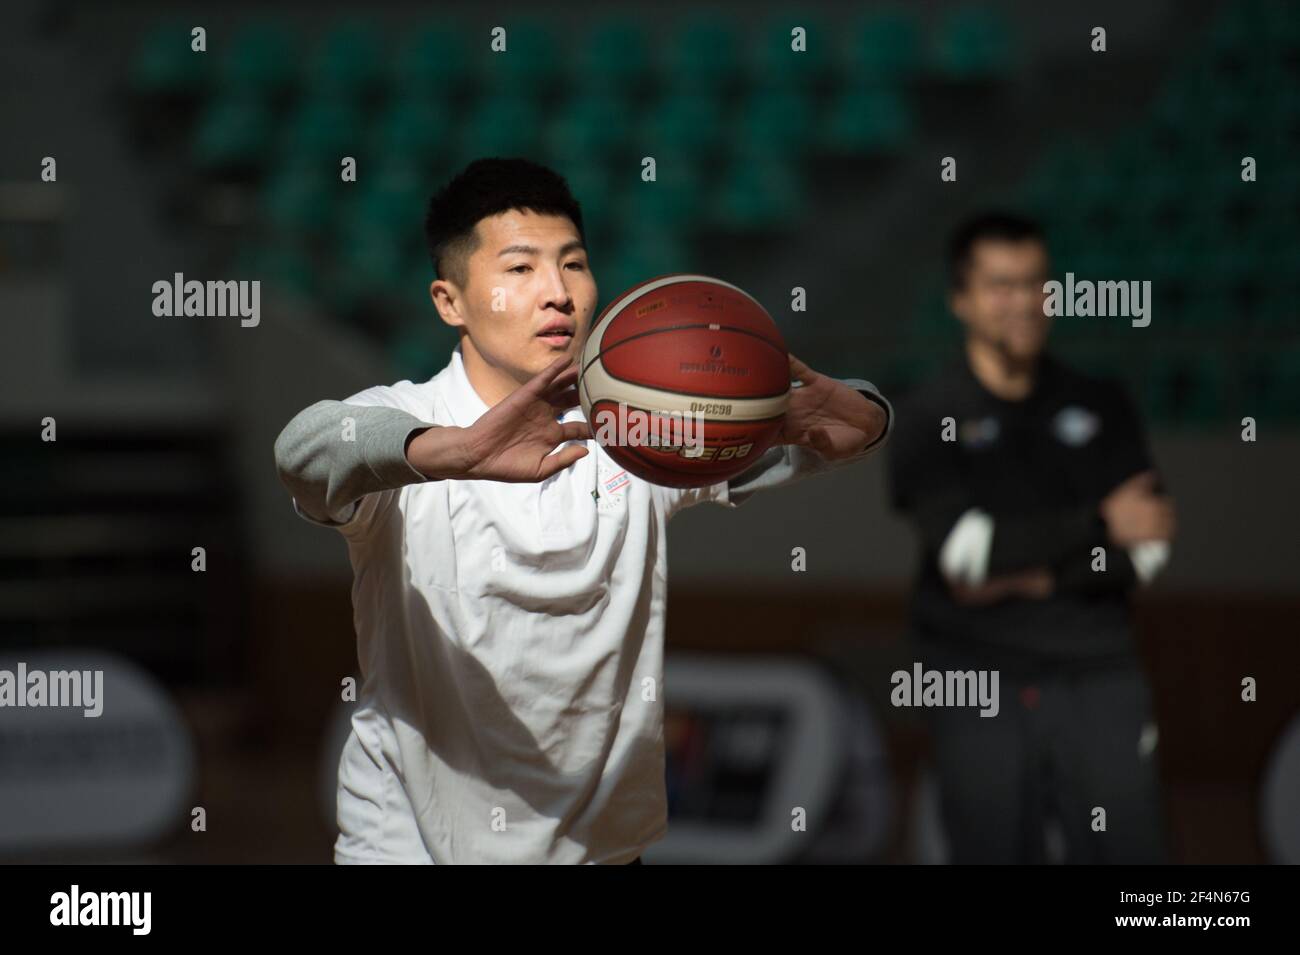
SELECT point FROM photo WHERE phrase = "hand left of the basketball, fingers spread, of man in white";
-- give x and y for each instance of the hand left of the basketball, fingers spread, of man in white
(512, 441)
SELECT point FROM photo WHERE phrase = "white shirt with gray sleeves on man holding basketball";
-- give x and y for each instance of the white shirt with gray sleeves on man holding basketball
(510, 636)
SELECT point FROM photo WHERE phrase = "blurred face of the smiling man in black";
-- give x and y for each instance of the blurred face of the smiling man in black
(1002, 303)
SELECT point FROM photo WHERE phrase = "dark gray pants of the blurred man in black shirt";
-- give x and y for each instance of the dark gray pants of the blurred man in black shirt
(1061, 746)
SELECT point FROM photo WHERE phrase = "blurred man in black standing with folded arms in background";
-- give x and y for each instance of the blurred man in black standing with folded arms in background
(1039, 513)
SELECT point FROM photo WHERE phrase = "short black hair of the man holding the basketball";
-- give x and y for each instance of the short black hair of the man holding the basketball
(483, 189)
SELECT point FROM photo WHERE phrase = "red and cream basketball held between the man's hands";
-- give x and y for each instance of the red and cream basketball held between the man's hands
(686, 380)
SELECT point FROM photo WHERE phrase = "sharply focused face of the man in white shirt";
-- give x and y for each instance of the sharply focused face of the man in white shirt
(528, 276)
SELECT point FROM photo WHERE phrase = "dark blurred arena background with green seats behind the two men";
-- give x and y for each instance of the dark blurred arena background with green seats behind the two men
(838, 168)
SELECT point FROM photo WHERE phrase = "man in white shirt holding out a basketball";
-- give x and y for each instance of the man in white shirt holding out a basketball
(509, 597)
